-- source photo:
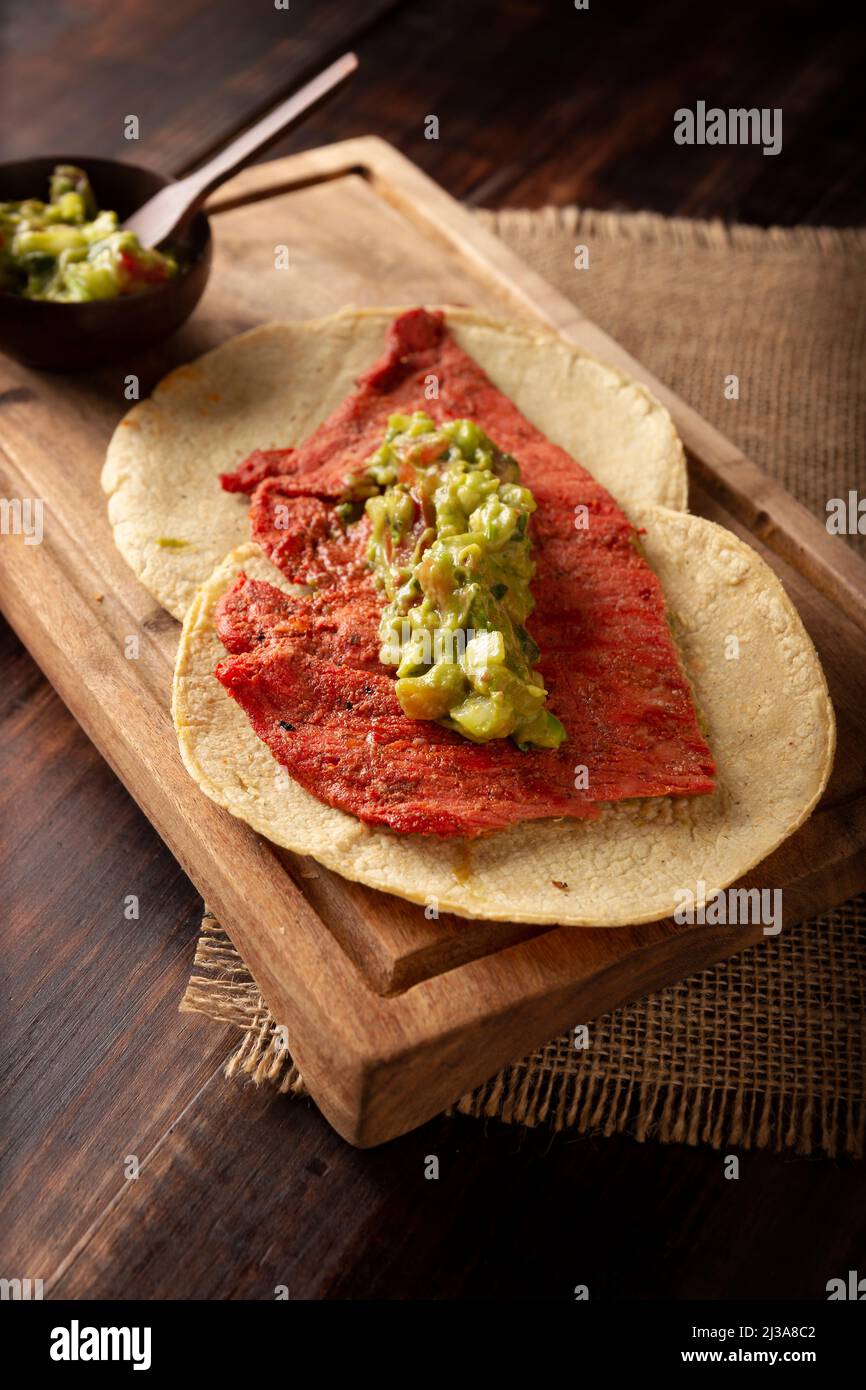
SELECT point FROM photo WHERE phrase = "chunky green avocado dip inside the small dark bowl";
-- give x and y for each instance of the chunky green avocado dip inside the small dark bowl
(69, 251)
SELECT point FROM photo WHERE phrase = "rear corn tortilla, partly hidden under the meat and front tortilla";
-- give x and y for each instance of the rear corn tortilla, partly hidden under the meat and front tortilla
(270, 389)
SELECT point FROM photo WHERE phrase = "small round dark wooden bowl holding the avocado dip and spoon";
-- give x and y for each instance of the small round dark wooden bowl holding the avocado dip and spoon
(70, 337)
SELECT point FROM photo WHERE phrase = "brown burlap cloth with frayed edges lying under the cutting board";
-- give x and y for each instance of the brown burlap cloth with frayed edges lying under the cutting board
(768, 1049)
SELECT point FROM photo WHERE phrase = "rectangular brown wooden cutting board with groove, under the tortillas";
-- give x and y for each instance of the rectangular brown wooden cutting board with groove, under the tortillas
(390, 1017)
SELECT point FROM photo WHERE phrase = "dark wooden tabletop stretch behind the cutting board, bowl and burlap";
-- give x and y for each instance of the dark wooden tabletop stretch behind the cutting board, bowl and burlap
(539, 104)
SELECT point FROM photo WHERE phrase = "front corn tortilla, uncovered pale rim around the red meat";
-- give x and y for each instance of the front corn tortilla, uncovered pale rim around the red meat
(769, 723)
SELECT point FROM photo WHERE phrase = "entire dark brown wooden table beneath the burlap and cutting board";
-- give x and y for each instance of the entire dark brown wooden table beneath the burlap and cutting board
(240, 1191)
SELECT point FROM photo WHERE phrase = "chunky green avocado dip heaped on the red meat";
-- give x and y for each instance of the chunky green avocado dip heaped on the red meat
(451, 551)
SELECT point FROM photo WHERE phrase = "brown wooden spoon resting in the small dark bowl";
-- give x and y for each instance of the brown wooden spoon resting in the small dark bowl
(173, 208)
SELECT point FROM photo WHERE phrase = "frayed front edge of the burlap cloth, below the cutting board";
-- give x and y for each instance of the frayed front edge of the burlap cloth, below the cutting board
(523, 1095)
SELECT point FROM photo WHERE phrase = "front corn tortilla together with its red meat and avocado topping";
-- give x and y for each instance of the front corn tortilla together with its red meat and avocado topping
(569, 764)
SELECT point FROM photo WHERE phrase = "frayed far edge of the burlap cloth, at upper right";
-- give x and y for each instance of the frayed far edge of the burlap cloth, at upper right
(679, 231)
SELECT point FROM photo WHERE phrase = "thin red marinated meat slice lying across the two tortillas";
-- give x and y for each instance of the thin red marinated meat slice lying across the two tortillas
(608, 657)
